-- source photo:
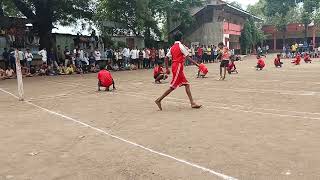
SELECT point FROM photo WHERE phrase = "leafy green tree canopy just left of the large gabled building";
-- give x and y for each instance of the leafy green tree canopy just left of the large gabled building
(141, 17)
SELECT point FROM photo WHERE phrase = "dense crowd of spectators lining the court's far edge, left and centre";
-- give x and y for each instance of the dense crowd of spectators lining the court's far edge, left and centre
(78, 61)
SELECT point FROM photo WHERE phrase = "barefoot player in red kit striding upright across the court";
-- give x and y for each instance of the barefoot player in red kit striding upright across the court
(178, 52)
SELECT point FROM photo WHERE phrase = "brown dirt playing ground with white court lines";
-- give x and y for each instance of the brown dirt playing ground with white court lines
(255, 125)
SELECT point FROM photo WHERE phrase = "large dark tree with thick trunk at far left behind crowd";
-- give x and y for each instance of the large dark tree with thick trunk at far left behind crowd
(45, 13)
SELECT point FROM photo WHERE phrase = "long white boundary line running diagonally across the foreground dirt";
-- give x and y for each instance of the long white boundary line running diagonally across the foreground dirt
(223, 176)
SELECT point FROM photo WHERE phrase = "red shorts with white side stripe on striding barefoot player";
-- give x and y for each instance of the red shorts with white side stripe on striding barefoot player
(178, 78)
